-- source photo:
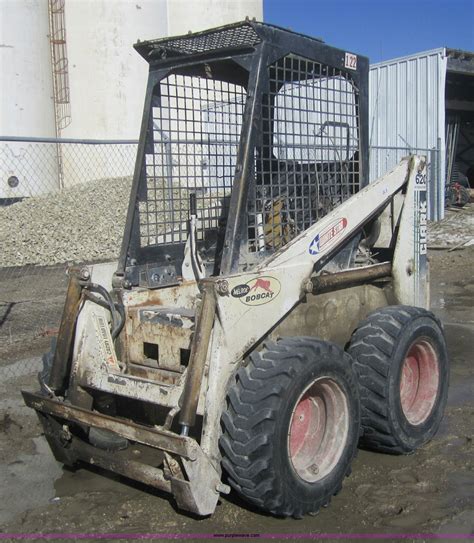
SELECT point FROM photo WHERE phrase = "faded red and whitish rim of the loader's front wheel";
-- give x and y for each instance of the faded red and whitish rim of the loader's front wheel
(318, 429)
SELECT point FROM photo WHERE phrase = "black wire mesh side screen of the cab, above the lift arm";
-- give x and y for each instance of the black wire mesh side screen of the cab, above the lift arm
(308, 160)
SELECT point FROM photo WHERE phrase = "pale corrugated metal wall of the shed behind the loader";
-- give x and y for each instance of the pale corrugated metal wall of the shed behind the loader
(406, 106)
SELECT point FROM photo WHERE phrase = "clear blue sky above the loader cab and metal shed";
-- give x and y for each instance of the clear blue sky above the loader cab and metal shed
(379, 29)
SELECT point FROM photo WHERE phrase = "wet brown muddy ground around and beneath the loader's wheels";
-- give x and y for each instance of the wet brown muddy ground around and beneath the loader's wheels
(431, 491)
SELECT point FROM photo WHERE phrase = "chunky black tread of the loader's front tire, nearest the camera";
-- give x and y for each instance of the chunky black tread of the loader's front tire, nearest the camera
(252, 414)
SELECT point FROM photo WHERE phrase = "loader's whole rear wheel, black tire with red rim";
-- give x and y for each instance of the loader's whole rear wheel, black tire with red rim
(401, 360)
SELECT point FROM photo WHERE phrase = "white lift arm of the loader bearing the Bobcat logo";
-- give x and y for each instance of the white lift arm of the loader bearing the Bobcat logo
(251, 304)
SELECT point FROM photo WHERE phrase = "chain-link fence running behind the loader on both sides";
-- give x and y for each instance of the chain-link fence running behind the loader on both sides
(65, 202)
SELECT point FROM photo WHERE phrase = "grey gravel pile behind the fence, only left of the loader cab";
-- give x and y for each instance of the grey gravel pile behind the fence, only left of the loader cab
(84, 223)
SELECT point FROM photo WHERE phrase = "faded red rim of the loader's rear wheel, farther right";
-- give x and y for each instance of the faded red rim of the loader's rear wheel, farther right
(419, 382)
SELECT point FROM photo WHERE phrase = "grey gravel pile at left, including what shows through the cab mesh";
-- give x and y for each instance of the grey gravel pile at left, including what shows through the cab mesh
(85, 223)
